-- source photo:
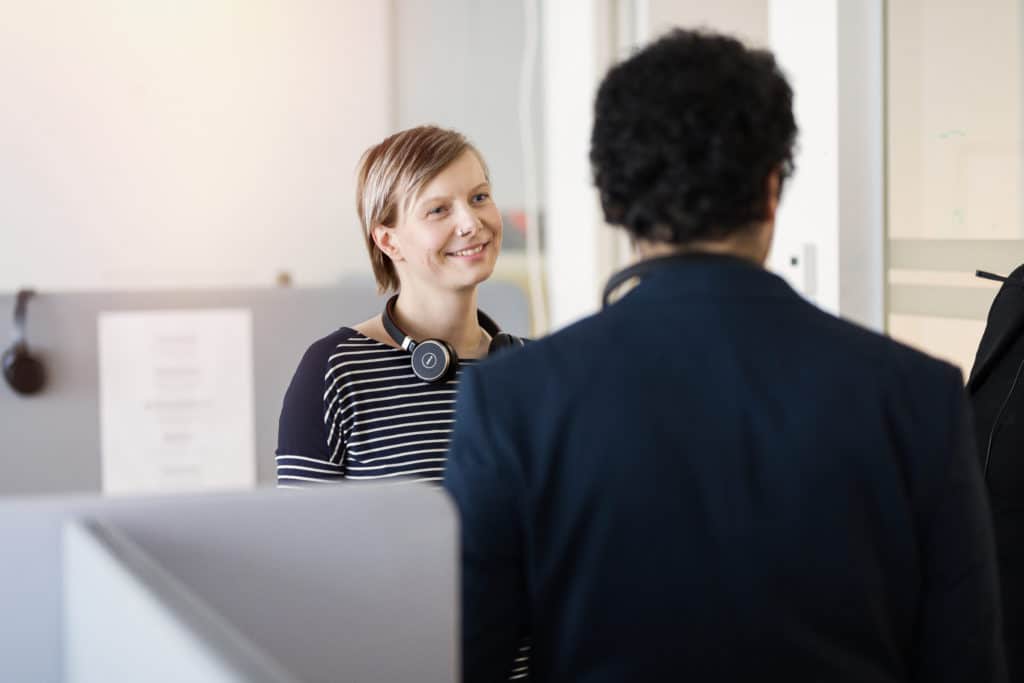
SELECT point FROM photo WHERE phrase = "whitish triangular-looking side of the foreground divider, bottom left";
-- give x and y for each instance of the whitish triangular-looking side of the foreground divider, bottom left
(110, 582)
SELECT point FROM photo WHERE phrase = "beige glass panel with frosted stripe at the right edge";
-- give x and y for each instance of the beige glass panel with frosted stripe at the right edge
(954, 158)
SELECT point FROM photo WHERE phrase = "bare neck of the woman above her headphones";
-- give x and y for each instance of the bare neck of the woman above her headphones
(449, 316)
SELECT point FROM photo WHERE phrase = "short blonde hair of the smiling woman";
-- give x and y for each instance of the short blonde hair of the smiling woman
(392, 175)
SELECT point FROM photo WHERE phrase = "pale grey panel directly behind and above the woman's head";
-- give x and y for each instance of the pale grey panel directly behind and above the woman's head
(474, 81)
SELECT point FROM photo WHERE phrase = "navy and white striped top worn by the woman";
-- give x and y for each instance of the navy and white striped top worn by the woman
(356, 411)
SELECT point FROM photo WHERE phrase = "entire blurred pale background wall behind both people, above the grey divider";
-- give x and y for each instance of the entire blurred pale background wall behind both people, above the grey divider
(146, 144)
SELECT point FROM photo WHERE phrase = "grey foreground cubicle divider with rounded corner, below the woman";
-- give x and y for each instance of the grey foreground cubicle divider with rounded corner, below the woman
(356, 582)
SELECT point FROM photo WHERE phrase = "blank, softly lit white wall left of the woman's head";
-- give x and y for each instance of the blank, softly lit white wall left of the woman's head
(188, 144)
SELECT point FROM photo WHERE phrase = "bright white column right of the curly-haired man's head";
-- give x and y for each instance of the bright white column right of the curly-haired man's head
(829, 241)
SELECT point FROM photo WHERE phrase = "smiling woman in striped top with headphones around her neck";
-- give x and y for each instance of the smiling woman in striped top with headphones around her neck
(369, 402)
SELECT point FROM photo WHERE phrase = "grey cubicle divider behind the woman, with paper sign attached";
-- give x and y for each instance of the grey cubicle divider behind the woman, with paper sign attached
(51, 443)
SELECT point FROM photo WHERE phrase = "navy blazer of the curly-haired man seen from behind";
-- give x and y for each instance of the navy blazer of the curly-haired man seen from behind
(714, 481)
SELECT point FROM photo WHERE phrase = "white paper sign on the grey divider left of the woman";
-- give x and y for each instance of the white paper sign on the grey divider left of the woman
(177, 401)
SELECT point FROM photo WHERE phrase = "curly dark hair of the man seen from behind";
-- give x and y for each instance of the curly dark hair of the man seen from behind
(687, 134)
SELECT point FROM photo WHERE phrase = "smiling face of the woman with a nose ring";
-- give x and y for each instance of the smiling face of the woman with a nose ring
(450, 235)
